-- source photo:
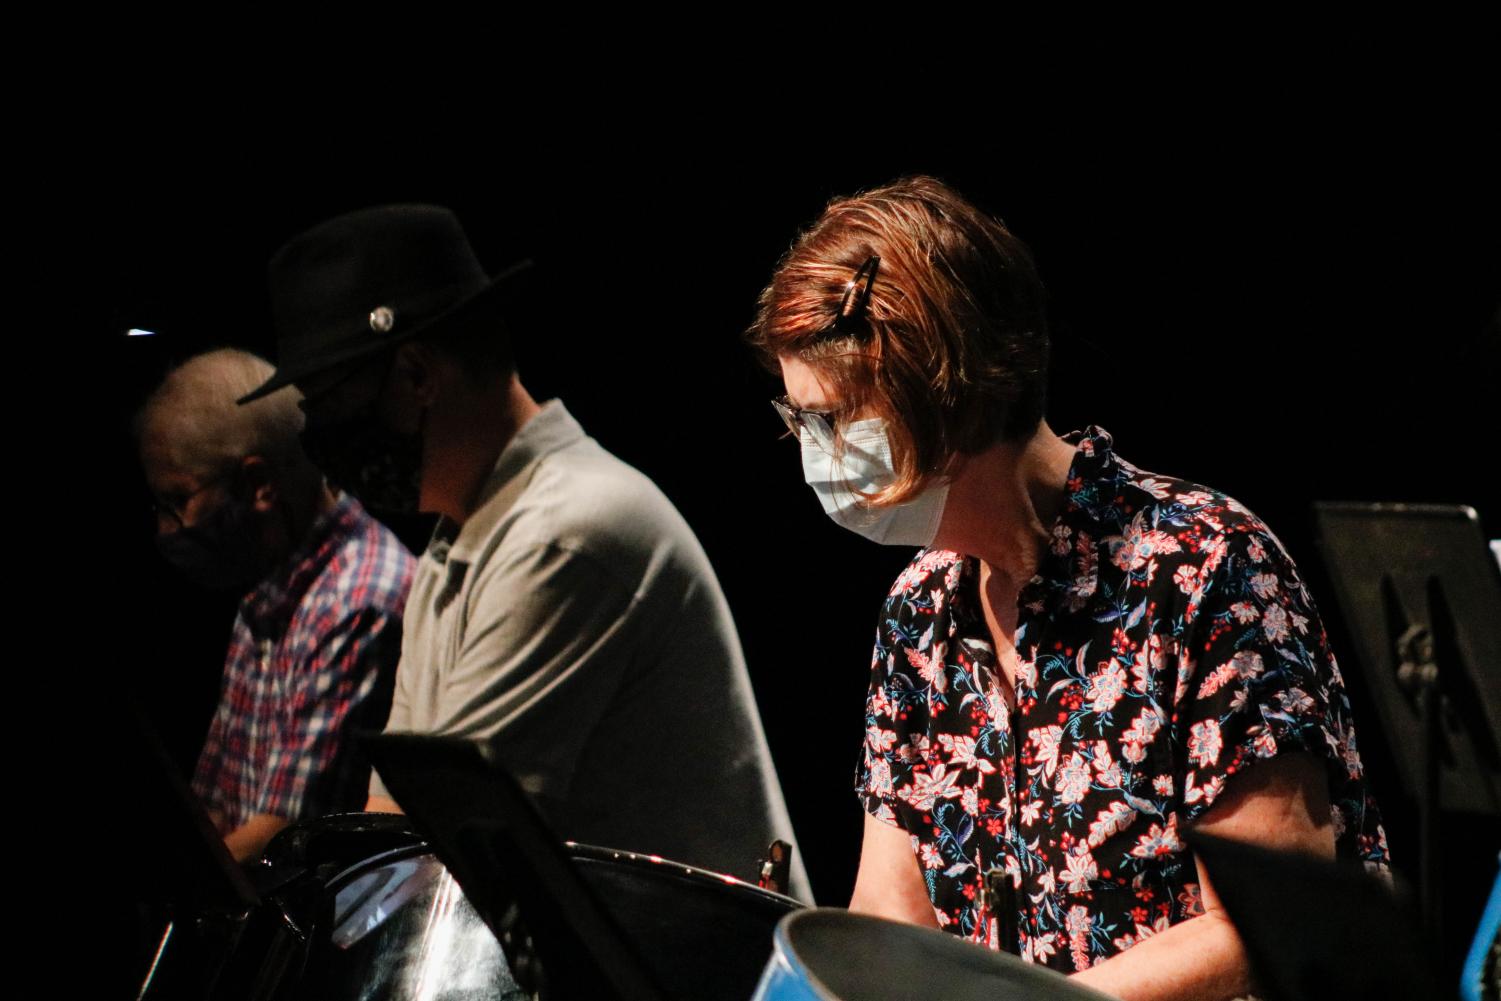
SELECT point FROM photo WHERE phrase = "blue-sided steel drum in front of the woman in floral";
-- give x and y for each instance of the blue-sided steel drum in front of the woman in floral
(832, 955)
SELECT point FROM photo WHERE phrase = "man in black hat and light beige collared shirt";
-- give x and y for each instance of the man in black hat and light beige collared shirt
(564, 610)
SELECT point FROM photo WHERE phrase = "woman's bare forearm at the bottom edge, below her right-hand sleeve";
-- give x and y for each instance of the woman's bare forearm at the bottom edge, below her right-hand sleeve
(1202, 960)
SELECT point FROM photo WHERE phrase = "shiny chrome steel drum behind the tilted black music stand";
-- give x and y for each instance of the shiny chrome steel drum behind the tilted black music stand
(390, 922)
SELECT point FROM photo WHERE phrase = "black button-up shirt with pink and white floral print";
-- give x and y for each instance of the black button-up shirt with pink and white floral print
(1166, 645)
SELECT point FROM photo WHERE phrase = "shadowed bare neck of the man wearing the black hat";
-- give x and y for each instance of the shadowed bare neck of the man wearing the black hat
(466, 431)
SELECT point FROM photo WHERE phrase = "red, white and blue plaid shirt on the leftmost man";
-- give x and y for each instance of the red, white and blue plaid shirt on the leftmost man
(313, 655)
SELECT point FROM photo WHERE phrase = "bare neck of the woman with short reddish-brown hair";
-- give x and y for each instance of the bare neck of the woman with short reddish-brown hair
(1003, 504)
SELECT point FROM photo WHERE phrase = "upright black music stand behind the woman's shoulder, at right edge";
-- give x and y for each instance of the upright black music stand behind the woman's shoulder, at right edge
(1422, 597)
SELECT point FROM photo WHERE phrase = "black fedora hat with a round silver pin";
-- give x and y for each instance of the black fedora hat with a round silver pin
(368, 280)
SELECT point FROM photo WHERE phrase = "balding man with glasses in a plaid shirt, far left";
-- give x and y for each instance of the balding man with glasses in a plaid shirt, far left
(319, 631)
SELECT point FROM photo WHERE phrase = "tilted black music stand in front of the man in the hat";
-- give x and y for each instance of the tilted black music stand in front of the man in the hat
(492, 838)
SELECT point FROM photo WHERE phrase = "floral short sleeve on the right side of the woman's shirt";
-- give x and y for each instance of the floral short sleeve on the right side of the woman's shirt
(1257, 678)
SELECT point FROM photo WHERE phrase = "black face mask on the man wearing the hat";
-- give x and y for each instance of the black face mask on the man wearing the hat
(359, 454)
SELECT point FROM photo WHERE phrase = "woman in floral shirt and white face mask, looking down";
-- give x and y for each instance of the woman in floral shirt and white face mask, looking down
(1084, 660)
